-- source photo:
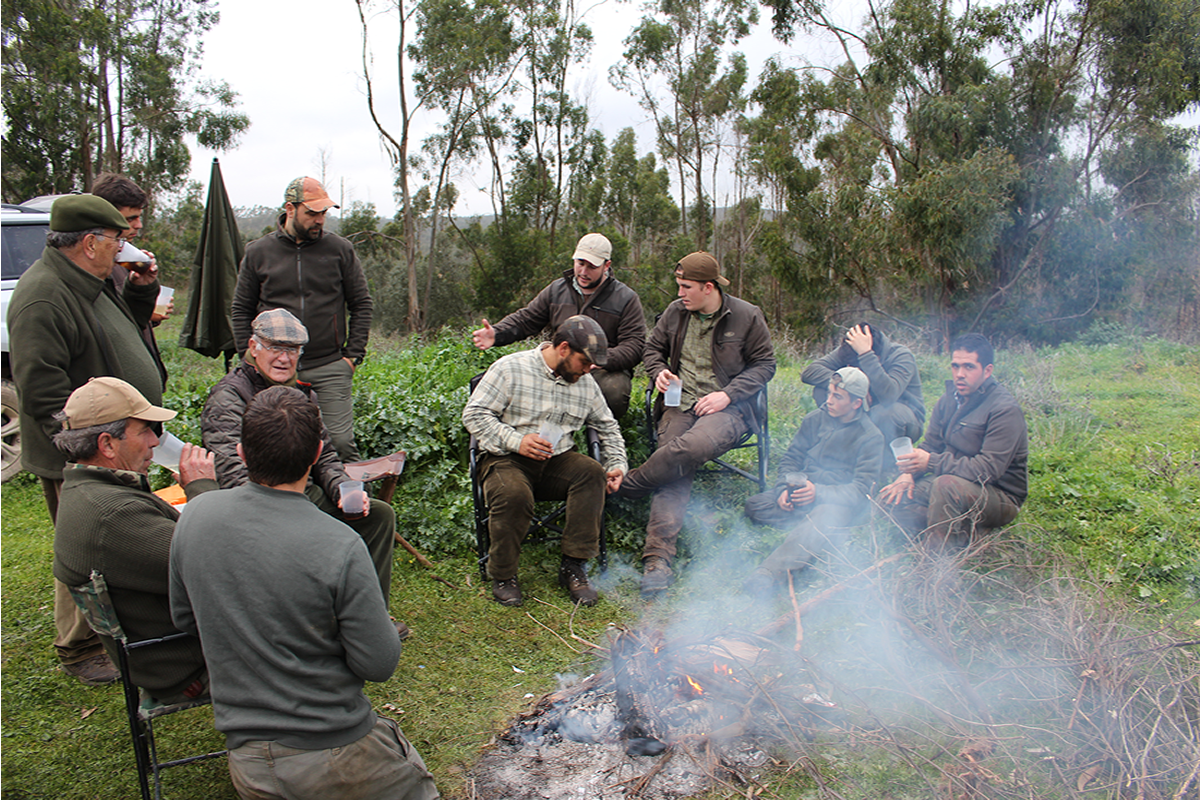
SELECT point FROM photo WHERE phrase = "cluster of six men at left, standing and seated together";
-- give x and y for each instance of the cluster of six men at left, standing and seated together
(286, 596)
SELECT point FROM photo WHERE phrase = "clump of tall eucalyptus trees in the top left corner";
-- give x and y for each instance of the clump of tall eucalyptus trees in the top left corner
(109, 86)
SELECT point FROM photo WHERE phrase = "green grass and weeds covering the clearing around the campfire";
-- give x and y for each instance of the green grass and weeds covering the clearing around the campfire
(1114, 513)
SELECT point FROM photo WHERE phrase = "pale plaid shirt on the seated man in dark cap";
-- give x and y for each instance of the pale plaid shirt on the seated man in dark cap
(520, 394)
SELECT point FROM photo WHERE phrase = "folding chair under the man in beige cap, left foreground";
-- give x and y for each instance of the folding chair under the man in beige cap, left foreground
(142, 711)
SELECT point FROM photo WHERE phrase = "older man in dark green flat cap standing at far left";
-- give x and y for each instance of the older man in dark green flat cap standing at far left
(68, 323)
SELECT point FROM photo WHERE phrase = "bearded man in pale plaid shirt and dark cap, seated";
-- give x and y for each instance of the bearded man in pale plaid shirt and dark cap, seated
(511, 412)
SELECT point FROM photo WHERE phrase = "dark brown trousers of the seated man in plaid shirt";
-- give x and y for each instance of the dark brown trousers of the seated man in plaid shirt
(513, 484)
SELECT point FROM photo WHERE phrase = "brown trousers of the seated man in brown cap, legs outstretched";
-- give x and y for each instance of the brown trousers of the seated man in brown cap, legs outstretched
(686, 444)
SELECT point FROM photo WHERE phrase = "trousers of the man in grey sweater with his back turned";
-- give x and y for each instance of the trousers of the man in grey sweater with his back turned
(381, 766)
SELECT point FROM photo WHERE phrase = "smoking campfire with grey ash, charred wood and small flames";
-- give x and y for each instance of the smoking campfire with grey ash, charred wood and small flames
(667, 719)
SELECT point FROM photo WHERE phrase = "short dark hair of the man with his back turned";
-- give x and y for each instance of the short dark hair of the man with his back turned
(280, 436)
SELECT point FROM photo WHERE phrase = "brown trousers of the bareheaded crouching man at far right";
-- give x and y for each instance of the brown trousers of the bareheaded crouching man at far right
(950, 510)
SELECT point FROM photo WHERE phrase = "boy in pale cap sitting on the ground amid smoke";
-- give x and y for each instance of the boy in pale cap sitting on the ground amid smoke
(839, 453)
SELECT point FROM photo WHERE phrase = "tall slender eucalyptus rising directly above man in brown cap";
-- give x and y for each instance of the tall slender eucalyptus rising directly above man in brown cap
(679, 51)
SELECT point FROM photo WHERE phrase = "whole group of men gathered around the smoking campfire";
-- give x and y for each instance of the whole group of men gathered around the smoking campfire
(289, 594)
